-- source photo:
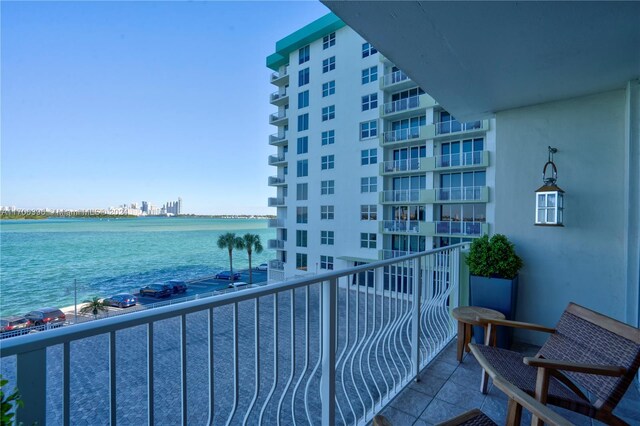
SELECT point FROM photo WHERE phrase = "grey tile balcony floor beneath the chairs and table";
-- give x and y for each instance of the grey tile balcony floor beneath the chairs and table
(446, 389)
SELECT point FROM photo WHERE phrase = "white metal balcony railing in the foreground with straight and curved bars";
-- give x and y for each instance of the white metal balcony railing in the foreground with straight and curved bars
(334, 347)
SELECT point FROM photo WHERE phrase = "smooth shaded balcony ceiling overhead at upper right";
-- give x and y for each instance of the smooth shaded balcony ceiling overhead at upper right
(477, 58)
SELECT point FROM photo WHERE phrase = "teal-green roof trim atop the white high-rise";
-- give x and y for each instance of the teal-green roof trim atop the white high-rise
(305, 35)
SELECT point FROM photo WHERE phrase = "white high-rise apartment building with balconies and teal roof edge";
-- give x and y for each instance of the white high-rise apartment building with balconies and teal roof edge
(368, 165)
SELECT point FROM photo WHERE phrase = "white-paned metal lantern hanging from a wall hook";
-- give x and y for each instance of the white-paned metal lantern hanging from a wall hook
(549, 197)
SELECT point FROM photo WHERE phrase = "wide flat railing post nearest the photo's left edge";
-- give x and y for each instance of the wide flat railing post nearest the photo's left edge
(32, 384)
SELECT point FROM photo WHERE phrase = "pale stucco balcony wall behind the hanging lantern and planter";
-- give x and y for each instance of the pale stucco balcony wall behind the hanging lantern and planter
(584, 260)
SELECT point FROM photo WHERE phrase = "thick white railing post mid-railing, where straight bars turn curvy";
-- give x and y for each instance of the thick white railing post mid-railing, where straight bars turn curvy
(328, 382)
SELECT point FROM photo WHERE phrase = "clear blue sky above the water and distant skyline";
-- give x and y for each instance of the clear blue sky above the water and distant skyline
(106, 103)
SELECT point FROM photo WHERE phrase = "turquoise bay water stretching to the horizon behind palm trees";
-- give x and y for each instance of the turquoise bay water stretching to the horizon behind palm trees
(40, 259)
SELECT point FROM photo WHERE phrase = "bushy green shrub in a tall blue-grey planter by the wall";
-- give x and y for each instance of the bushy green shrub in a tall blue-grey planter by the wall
(493, 266)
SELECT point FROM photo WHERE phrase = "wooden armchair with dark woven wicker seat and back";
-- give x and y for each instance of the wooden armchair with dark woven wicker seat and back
(586, 353)
